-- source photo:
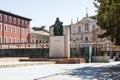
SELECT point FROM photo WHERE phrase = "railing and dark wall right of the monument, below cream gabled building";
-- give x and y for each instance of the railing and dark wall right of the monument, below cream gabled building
(99, 50)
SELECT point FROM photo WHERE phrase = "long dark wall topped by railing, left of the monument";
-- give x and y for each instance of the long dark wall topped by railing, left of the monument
(24, 50)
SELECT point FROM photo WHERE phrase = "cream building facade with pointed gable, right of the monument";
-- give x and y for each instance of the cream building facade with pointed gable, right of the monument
(84, 32)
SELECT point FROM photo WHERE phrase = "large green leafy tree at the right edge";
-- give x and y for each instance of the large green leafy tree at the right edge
(108, 18)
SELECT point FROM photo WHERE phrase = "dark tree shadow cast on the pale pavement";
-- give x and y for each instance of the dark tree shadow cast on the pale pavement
(97, 73)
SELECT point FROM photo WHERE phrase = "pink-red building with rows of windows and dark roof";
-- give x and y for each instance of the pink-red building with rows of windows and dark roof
(14, 28)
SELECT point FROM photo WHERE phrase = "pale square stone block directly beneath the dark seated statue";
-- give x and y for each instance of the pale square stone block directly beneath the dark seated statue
(57, 46)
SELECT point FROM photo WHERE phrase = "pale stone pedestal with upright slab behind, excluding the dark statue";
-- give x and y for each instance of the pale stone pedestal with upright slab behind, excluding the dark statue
(59, 46)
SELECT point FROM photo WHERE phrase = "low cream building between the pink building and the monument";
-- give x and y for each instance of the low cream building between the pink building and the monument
(41, 38)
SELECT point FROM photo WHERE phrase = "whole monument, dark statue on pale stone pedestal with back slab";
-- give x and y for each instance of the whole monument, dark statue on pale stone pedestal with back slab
(59, 41)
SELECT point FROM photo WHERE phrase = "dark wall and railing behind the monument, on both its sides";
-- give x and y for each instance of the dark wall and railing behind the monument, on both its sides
(42, 50)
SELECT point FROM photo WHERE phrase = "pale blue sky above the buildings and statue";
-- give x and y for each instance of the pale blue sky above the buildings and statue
(44, 12)
